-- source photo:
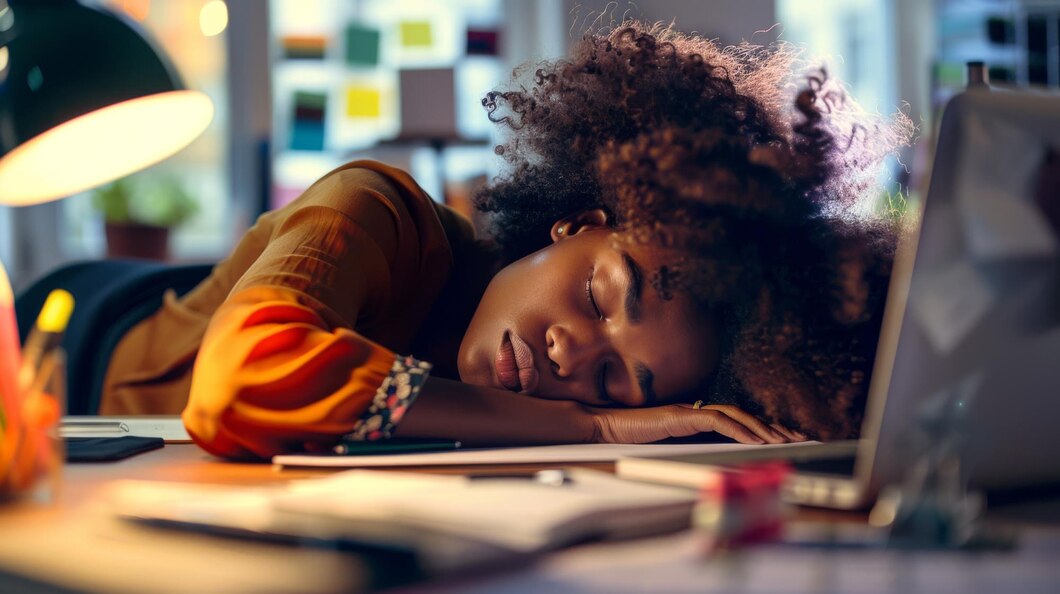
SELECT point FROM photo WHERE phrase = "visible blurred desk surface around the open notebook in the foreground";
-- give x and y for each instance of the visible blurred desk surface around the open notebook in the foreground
(77, 546)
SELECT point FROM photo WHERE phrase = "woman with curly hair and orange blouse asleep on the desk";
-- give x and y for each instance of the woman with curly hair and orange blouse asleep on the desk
(677, 223)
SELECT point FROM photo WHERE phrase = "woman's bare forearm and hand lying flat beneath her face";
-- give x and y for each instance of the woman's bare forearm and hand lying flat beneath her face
(483, 416)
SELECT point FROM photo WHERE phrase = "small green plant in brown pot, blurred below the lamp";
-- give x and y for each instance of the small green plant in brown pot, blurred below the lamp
(138, 214)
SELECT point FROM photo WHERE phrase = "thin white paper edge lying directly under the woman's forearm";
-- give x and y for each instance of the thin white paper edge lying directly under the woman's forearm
(540, 455)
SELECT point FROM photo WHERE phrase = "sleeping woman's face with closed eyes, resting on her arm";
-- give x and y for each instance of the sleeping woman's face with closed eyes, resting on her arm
(579, 321)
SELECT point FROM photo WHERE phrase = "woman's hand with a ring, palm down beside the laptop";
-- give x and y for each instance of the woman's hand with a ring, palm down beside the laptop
(644, 426)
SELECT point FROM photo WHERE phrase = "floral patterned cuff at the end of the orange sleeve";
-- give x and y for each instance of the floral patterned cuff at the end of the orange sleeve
(393, 399)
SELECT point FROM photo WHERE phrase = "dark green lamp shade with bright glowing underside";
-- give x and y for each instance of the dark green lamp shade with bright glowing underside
(85, 99)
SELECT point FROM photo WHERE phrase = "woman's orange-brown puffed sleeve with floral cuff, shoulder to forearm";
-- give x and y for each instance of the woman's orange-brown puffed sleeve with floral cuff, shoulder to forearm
(280, 369)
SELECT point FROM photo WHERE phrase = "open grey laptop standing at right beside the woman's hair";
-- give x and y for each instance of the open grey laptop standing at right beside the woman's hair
(971, 330)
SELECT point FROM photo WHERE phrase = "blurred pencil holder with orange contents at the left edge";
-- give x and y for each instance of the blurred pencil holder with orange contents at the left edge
(31, 450)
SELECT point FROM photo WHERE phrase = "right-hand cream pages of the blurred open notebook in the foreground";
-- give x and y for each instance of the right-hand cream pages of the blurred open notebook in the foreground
(517, 514)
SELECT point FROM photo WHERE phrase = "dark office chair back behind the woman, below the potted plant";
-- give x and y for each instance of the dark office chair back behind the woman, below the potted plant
(111, 298)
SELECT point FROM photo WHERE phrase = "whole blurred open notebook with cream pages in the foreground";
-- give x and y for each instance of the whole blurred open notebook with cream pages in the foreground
(451, 521)
